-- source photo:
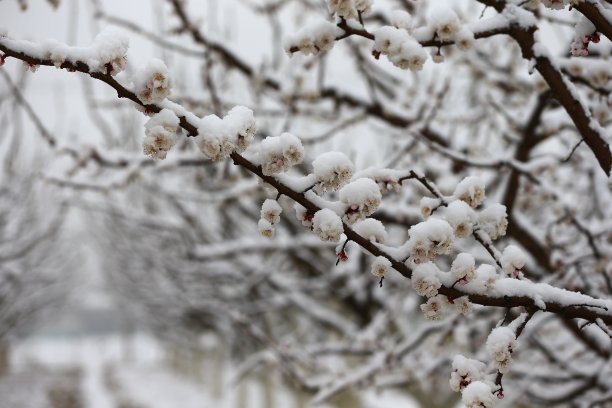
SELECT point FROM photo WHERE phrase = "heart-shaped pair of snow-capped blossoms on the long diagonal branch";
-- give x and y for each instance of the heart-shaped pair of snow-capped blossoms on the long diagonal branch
(218, 138)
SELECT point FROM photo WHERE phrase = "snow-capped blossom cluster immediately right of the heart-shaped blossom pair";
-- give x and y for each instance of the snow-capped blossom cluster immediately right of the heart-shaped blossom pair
(278, 153)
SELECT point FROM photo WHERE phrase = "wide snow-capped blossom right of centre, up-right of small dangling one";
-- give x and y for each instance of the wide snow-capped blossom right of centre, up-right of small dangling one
(429, 239)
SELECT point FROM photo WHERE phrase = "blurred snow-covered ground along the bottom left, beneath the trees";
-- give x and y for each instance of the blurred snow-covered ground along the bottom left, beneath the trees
(116, 372)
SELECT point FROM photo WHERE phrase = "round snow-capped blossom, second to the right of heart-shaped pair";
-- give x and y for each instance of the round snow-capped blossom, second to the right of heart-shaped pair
(332, 170)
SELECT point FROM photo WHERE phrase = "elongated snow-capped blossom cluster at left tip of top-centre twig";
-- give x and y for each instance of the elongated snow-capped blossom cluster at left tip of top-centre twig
(313, 38)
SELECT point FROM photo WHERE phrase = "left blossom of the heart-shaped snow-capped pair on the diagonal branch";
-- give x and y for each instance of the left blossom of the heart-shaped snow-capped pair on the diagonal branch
(213, 138)
